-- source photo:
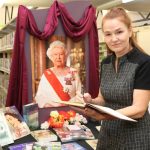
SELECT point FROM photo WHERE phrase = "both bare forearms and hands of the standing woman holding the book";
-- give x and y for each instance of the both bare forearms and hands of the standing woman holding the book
(136, 110)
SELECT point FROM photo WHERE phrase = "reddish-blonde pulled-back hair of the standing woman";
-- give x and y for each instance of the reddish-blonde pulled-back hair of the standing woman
(121, 14)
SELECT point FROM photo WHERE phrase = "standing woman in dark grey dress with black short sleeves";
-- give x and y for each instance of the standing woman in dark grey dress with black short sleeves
(124, 86)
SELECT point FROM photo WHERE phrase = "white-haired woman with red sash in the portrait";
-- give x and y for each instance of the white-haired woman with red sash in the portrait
(59, 83)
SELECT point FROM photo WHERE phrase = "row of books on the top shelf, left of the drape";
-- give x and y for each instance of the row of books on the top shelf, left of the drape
(7, 41)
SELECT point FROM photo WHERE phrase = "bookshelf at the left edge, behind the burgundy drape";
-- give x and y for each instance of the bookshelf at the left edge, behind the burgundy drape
(6, 49)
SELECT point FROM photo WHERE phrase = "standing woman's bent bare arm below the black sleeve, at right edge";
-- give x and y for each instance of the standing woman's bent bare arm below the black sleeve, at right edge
(139, 106)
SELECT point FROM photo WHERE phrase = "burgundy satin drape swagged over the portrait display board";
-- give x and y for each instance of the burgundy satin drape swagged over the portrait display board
(18, 88)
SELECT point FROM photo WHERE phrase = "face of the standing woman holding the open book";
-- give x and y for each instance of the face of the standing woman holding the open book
(116, 35)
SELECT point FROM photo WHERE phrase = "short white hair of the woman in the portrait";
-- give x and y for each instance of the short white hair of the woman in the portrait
(54, 45)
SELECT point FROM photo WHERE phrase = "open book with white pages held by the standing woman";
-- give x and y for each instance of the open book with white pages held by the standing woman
(101, 109)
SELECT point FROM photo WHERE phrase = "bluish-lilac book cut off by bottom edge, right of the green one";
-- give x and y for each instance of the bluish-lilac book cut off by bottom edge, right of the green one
(72, 146)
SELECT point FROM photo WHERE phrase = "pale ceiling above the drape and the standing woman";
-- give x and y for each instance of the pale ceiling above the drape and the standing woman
(136, 5)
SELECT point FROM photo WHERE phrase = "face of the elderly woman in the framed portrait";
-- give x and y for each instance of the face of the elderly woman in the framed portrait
(58, 57)
